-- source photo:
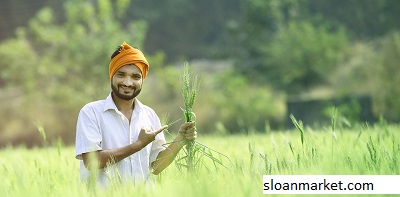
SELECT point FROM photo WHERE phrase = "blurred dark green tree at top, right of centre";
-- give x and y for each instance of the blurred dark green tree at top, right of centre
(283, 49)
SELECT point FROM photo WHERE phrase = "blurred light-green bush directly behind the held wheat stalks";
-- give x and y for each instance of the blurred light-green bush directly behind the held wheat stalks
(229, 103)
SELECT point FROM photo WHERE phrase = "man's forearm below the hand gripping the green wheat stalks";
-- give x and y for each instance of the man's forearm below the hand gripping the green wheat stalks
(165, 157)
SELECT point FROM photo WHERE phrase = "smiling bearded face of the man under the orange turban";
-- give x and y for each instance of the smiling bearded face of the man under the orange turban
(127, 82)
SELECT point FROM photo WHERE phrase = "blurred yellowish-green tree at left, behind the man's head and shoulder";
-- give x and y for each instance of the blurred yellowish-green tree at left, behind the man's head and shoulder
(56, 68)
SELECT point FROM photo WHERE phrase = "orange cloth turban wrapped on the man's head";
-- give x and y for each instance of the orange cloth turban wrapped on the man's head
(129, 55)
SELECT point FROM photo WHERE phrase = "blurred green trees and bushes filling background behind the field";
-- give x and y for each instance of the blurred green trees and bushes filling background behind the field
(252, 56)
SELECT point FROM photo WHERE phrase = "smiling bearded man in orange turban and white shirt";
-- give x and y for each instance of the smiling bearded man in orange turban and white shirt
(119, 137)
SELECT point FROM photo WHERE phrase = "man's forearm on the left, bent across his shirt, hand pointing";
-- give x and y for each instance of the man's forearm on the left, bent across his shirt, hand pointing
(103, 158)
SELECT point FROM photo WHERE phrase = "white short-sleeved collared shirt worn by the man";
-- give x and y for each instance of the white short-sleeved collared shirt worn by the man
(102, 126)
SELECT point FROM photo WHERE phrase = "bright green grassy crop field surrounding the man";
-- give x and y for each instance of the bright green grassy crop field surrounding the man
(53, 170)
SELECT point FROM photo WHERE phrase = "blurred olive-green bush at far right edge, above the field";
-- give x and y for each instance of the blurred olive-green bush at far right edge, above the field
(370, 68)
